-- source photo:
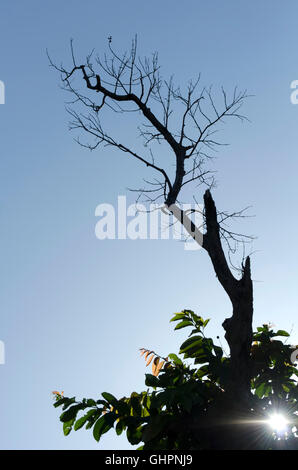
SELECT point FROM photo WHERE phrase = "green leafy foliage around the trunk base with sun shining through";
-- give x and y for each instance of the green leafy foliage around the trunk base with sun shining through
(185, 405)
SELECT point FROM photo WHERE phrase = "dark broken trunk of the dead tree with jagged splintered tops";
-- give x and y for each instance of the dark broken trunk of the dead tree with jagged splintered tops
(240, 291)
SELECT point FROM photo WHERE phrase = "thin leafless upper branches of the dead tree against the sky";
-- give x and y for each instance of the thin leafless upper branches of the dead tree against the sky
(126, 83)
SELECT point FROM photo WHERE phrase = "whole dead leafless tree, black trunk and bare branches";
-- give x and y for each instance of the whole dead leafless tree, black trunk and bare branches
(186, 123)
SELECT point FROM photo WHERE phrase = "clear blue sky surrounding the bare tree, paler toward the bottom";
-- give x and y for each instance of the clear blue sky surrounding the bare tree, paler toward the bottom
(74, 309)
